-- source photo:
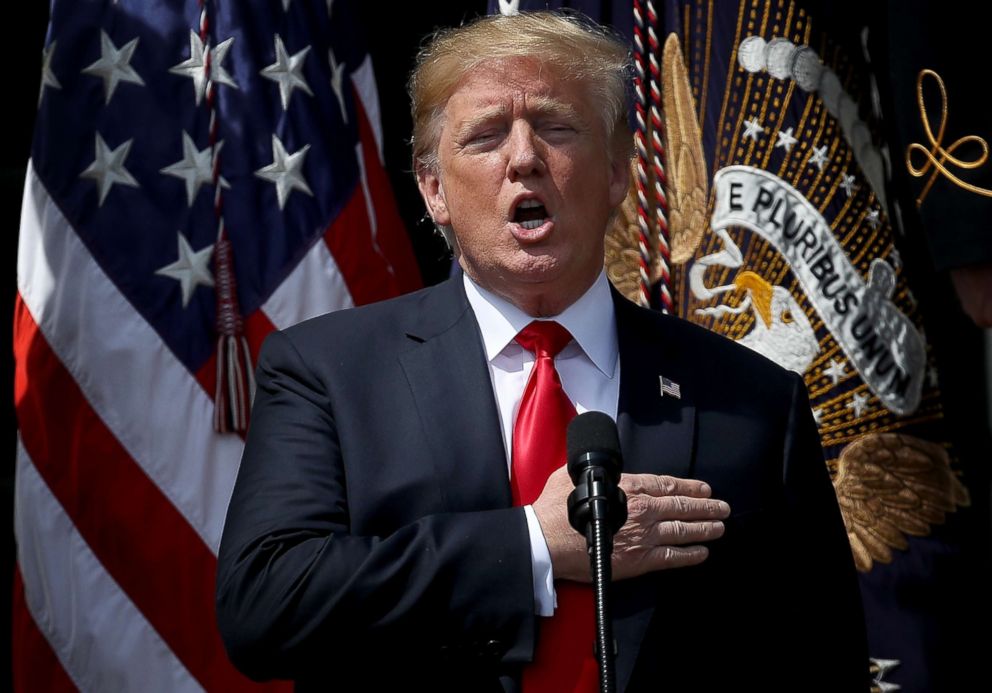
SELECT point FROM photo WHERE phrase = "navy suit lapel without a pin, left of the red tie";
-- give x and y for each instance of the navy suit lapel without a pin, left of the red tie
(447, 373)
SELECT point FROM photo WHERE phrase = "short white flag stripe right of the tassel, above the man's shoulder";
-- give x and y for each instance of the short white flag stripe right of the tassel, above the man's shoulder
(314, 287)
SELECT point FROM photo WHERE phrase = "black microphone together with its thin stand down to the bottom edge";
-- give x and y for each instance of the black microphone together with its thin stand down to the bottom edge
(597, 508)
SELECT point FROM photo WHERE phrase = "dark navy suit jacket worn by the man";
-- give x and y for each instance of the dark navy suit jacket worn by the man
(371, 535)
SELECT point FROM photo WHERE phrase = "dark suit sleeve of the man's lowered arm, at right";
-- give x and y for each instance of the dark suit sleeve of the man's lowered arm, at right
(826, 597)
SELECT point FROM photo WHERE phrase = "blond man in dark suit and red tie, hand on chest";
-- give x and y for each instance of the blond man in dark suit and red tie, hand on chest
(382, 527)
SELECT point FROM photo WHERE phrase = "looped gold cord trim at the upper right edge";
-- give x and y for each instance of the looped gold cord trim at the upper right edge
(936, 155)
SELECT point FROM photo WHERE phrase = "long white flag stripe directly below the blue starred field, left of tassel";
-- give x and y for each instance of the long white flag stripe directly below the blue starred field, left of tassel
(144, 395)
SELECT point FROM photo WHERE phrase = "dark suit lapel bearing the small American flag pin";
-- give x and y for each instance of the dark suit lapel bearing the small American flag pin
(656, 437)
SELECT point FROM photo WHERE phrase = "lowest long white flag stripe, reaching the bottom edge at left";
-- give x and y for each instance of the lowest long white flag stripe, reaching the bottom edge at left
(99, 636)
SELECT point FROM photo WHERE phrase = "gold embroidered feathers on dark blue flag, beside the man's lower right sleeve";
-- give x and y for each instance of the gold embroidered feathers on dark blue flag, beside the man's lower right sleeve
(890, 485)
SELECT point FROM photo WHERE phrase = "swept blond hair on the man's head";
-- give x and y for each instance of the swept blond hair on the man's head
(578, 48)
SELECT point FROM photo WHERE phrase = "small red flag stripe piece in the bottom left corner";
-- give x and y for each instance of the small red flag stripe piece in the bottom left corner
(35, 666)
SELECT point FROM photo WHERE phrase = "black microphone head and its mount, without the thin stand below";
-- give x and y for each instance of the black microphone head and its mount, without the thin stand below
(594, 464)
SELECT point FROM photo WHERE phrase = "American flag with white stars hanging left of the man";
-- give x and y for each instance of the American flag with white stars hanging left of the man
(122, 483)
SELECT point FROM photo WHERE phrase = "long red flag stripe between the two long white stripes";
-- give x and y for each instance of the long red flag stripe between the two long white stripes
(140, 538)
